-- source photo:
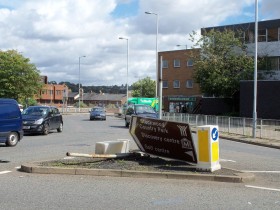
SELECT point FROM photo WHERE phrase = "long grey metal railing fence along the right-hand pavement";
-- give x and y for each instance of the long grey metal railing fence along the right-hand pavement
(268, 129)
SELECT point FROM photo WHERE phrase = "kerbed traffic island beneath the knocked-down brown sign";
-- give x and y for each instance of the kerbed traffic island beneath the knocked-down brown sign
(136, 166)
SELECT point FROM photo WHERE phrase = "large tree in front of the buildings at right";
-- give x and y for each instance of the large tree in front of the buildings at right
(222, 63)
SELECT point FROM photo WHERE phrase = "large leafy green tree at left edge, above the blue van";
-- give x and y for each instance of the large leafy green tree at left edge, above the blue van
(19, 79)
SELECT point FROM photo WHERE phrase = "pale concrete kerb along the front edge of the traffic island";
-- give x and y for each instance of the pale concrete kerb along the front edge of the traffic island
(36, 168)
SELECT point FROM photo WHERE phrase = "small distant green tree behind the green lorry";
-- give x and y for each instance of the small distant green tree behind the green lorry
(144, 88)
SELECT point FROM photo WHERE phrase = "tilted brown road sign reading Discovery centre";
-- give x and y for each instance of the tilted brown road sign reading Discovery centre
(163, 138)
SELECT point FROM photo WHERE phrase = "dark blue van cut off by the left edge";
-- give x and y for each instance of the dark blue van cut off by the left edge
(10, 122)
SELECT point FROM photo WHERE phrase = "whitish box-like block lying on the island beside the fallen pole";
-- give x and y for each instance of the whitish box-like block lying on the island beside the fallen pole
(112, 147)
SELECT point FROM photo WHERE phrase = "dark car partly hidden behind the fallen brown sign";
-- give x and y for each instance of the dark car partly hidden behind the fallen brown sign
(140, 110)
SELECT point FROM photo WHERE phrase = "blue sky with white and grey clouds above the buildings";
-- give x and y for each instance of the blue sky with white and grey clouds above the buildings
(56, 34)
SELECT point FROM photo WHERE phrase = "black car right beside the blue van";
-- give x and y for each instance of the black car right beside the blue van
(41, 119)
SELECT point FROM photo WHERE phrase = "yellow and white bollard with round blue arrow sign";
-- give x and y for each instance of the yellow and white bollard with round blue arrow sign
(208, 148)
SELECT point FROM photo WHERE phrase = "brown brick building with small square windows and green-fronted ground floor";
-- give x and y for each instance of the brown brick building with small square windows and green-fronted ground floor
(180, 92)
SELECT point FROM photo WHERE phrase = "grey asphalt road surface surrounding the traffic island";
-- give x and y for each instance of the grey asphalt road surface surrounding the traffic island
(20, 190)
